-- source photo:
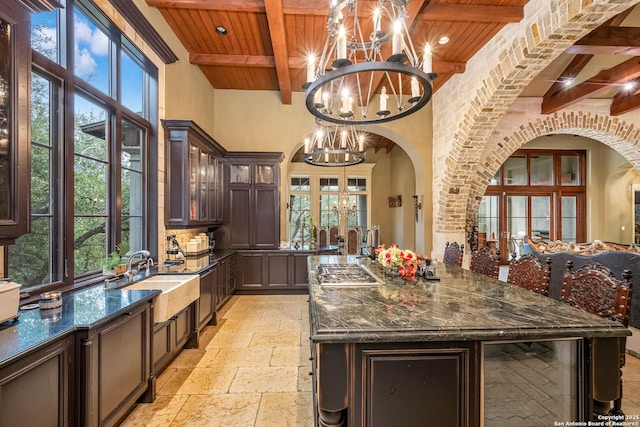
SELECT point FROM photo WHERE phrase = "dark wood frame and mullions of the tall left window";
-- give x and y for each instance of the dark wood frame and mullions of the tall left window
(117, 112)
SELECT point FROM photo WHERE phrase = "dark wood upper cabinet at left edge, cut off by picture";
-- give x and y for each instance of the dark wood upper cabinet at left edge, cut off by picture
(15, 68)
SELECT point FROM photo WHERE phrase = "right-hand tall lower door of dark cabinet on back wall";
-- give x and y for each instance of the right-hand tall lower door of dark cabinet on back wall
(267, 222)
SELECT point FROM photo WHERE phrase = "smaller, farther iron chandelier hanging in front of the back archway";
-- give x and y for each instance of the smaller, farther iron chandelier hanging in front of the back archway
(334, 145)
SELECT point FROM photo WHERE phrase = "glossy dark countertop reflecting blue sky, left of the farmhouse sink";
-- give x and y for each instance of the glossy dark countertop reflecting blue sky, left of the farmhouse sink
(82, 309)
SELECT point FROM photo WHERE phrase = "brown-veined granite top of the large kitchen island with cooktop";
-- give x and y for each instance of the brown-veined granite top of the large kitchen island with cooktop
(462, 305)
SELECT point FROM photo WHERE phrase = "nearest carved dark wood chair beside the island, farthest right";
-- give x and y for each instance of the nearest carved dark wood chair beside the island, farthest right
(594, 289)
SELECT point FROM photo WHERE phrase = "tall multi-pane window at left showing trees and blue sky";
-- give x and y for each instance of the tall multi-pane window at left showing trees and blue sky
(92, 123)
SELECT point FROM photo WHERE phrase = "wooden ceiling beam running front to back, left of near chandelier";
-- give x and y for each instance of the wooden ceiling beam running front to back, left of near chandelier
(275, 18)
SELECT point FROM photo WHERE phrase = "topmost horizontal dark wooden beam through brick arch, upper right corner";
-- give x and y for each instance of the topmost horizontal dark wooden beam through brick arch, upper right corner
(609, 41)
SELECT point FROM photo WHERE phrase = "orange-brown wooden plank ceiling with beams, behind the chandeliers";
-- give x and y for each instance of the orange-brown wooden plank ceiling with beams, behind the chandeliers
(267, 43)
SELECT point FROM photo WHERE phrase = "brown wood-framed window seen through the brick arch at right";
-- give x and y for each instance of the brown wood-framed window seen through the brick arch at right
(537, 193)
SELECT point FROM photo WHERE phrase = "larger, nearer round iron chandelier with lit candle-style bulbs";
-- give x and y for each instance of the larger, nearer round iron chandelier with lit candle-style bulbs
(362, 55)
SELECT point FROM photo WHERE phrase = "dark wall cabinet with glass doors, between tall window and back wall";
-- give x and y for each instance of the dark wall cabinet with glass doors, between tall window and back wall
(195, 184)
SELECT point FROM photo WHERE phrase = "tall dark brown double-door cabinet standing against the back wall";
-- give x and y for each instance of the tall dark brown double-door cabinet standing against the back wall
(254, 200)
